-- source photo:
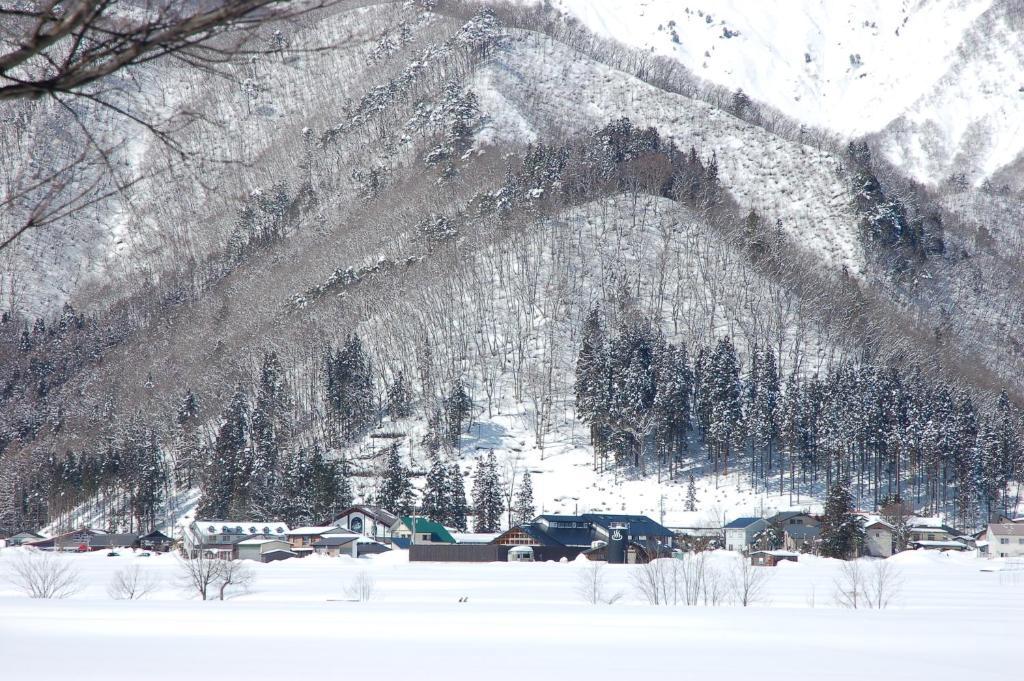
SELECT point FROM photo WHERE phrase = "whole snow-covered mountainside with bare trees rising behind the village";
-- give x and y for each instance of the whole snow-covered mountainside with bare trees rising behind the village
(461, 189)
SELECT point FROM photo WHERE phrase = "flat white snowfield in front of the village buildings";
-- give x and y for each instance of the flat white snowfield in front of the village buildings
(953, 619)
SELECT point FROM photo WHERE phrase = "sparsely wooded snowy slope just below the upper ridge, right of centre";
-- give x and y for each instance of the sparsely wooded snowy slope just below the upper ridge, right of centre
(798, 185)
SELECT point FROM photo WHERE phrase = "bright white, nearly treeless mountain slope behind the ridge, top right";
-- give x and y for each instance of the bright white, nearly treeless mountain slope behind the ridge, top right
(941, 78)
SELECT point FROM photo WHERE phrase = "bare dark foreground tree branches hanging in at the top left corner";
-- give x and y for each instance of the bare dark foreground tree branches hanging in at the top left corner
(72, 52)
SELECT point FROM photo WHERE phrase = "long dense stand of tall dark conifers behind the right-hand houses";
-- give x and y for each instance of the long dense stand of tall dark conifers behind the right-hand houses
(893, 434)
